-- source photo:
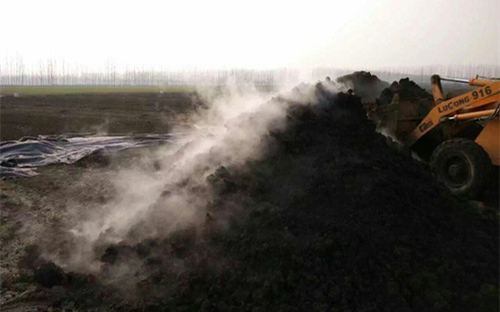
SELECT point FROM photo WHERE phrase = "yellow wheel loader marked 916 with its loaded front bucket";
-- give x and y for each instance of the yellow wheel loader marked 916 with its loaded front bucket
(459, 136)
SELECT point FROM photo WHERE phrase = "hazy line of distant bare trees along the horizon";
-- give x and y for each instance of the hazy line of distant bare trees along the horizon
(52, 72)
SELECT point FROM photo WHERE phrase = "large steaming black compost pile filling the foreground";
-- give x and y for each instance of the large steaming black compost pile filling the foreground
(331, 219)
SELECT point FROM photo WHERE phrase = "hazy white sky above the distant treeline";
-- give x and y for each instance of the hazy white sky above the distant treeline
(253, 34)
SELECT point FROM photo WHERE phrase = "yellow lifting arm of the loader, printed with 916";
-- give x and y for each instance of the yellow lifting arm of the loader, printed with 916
(487, 93)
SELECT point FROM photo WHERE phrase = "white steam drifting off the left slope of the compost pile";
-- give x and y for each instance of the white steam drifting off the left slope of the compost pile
(152, 202)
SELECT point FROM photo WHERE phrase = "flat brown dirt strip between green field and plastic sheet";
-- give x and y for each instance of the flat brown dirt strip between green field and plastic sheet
(110, 113)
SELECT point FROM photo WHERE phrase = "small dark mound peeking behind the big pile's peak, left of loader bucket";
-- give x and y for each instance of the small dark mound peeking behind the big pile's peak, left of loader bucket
(364, 85)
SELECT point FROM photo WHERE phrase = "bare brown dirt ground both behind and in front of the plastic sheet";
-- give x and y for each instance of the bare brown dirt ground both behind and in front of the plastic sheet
(39, 202)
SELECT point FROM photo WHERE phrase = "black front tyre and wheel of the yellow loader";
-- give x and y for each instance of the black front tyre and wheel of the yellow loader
(463, 166)
